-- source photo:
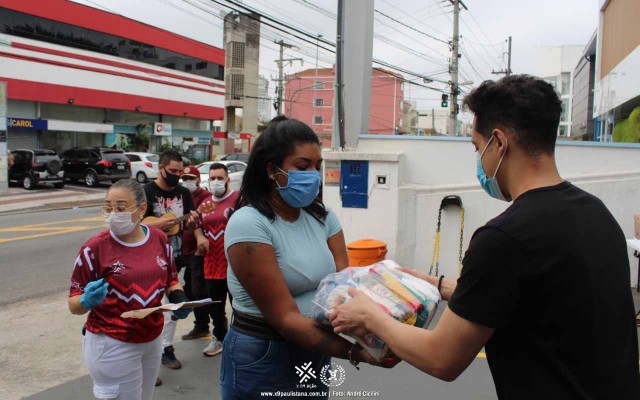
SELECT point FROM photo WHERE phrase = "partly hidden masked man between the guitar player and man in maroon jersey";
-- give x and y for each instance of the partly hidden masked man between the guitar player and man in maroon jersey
(194, 246)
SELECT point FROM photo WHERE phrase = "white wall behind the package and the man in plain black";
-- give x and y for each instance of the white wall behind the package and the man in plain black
(422, 170)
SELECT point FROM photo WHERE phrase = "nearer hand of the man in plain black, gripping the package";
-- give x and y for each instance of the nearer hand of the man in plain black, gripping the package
(352, 316)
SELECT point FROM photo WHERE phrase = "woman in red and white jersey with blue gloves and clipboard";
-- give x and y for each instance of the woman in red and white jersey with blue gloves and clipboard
(126, 267)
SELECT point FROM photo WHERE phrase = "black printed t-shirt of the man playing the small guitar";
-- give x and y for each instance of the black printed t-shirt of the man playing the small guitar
(177, 201)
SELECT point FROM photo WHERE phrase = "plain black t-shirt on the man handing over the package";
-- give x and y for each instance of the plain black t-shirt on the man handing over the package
(551, 275)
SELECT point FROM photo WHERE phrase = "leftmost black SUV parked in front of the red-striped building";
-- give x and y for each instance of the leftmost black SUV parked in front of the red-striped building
(32, 167)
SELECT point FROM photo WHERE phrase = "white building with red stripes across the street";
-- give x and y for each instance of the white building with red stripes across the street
(80, 76)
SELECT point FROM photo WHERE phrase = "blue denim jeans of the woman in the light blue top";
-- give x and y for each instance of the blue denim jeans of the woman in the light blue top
(252, 365)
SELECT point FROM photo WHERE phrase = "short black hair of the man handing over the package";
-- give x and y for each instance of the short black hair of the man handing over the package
(527, 106)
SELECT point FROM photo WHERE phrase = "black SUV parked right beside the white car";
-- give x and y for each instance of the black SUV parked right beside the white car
(95, 164)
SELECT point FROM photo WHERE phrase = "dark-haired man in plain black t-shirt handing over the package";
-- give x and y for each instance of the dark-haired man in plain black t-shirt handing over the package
(545, 286)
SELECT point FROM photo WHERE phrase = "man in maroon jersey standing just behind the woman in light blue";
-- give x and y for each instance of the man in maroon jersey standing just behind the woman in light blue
(215, 261)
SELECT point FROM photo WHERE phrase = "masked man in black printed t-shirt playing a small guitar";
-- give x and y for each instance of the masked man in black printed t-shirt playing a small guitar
(164, 196)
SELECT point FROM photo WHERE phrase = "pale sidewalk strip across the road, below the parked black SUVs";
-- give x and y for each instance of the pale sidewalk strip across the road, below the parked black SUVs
(18, 199)
